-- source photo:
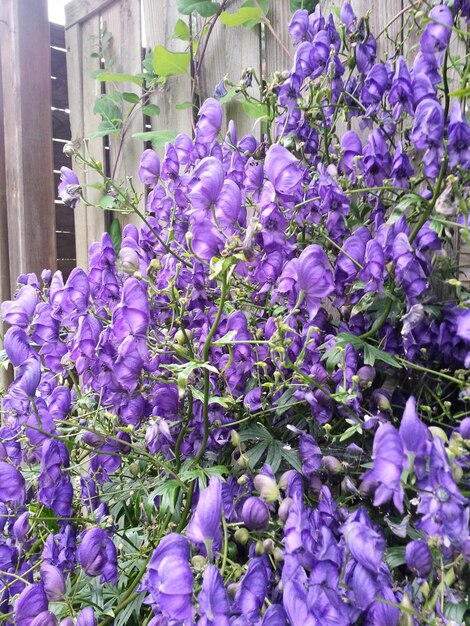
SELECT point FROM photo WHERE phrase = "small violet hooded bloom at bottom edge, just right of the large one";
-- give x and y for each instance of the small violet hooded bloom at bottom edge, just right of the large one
(213, 600)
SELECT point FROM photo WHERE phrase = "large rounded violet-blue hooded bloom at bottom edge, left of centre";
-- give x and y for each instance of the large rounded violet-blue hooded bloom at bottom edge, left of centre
(169, 579)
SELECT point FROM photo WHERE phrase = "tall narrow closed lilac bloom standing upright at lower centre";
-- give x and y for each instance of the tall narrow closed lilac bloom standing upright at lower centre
(204, 526)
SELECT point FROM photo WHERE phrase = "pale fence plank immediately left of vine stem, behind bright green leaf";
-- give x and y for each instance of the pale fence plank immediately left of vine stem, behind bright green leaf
(160, 20)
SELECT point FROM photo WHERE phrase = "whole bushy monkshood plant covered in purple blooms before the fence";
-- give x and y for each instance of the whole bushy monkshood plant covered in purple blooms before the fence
(254, 409)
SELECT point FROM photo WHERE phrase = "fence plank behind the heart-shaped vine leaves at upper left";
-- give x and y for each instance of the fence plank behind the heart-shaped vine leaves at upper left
(124, 55)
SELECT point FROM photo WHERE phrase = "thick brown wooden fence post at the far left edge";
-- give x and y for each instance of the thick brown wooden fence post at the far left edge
(28, 131)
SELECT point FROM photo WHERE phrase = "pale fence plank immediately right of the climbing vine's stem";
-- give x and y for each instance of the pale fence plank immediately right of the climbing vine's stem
(230, 50)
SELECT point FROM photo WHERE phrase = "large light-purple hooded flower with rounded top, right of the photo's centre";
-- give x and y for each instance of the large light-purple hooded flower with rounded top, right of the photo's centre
(314, 277)
